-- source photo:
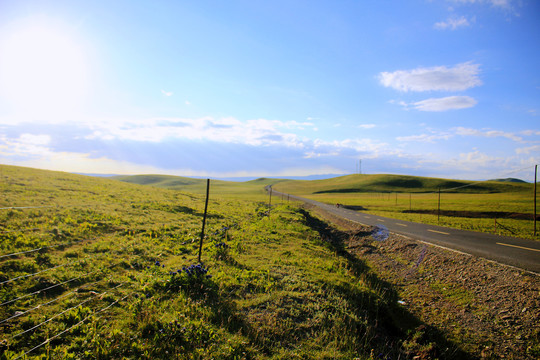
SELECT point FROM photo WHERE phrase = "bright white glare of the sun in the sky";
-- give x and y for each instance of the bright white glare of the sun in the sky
(43, 71)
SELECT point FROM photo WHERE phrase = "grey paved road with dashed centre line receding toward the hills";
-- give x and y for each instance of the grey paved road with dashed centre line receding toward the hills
(522, 253)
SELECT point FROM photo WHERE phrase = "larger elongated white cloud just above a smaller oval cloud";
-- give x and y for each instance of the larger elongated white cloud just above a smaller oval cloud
(439, 78)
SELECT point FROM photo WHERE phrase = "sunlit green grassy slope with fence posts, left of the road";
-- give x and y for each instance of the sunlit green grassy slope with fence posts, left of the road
(98, 268)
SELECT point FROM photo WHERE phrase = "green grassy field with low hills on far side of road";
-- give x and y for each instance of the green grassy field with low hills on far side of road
(504, 208)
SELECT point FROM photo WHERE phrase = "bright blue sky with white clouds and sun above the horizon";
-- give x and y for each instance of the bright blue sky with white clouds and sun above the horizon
(444, 88)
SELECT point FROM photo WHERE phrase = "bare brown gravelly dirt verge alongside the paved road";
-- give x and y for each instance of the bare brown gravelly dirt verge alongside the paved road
(491, 311)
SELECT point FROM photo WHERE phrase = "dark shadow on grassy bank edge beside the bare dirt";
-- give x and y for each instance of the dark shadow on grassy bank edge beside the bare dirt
(398, 331)
